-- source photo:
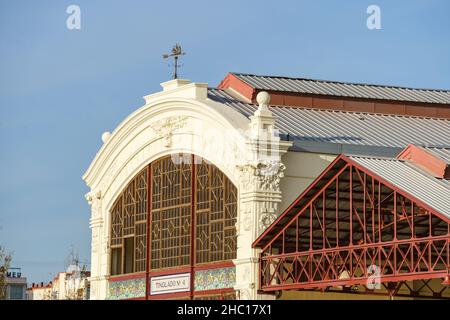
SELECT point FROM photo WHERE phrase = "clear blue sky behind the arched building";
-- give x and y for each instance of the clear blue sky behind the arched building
(60, 89)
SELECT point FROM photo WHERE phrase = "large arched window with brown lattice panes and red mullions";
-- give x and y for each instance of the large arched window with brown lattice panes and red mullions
(185, 211)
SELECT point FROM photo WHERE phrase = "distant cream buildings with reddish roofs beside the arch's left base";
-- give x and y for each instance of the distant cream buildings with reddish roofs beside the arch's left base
(72, 285)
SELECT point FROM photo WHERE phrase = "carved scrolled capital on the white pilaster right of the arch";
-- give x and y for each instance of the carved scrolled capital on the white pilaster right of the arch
(265, 175)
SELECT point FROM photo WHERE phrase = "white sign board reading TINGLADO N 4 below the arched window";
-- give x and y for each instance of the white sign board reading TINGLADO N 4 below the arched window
(169, 284)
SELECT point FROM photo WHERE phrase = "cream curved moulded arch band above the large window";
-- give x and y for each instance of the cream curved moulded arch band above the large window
(162, 127)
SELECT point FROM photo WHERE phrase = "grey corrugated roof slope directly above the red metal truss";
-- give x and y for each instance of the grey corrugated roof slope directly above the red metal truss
(405, 176)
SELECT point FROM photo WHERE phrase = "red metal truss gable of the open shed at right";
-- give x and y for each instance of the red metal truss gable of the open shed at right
(351, 227)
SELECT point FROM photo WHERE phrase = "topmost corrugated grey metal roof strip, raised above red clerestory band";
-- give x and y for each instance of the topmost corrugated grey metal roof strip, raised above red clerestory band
(345, 89)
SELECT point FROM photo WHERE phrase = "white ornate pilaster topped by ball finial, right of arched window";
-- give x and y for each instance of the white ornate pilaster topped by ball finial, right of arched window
(259, 194)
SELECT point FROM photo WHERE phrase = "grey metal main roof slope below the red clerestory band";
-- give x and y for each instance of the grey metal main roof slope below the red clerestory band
(349, 132)
